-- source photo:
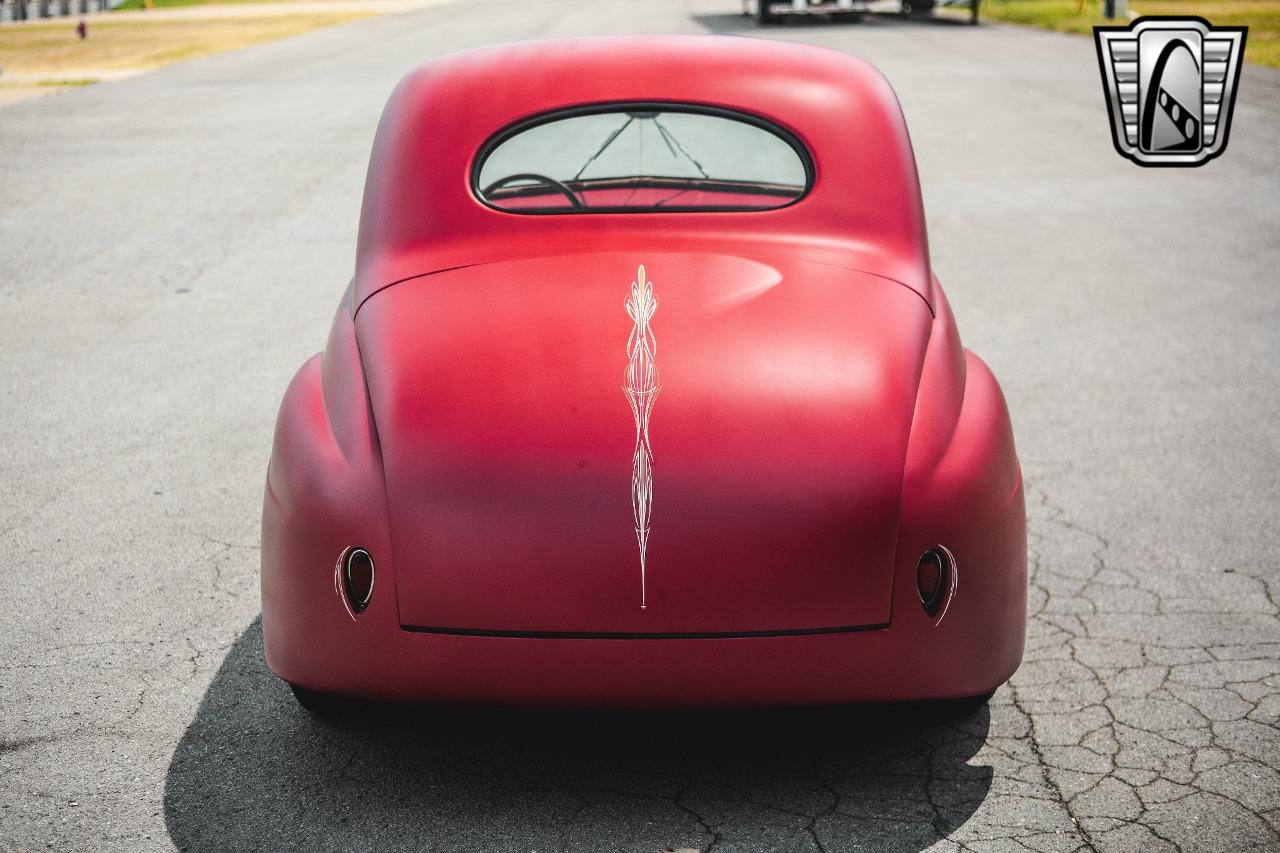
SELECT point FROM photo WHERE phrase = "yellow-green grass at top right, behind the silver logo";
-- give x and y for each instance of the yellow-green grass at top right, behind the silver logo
(1263, 19)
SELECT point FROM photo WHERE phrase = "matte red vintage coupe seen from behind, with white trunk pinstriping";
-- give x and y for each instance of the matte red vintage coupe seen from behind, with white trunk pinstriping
(643, 394)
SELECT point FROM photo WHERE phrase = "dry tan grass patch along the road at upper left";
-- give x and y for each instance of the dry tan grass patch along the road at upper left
(52, 47)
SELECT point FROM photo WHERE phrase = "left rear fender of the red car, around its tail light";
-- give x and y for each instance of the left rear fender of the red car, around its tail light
(324, 494)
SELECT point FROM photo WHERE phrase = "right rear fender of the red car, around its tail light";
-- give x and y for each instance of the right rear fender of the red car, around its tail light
(963, 490)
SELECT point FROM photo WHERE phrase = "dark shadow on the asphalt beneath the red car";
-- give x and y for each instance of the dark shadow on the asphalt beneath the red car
(257, 773)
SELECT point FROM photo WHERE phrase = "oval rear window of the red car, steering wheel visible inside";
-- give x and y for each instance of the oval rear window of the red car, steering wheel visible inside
(642, 158)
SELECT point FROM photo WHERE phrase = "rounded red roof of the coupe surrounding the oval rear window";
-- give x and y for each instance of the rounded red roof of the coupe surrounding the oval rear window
(863, 211)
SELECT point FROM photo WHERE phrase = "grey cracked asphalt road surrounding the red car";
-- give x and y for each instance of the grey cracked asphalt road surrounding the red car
(173, 247)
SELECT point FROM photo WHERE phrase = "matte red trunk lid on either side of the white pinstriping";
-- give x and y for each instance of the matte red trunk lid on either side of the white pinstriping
(779, 441)
